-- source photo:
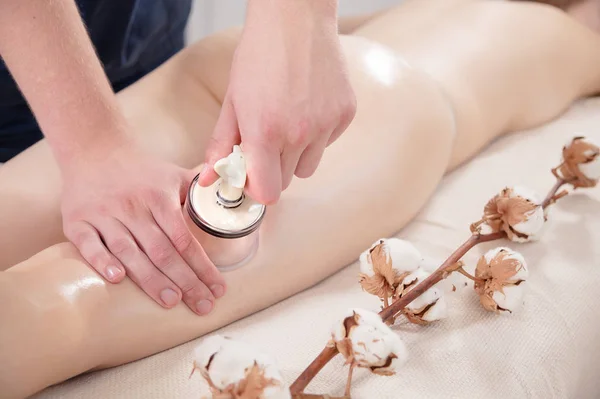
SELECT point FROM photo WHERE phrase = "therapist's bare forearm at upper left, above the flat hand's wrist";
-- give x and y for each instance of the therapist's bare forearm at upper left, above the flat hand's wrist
(47, 49)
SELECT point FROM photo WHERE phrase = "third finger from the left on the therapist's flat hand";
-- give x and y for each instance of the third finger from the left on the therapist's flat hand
(165, 258)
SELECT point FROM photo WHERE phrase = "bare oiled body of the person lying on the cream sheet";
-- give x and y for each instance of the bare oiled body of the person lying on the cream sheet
(435, 82)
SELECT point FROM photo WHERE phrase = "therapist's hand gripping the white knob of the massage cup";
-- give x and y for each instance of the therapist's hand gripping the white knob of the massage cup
(289, 95)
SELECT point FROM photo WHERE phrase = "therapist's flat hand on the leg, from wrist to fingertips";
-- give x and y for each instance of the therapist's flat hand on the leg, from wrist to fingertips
(122, 210)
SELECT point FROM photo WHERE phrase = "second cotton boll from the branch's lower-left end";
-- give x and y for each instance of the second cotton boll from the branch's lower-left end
(365, 340)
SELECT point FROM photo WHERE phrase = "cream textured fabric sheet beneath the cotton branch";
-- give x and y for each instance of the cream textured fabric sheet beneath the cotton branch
(550, 350)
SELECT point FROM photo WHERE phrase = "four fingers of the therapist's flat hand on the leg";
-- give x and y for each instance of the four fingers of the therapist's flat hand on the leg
(160, 256)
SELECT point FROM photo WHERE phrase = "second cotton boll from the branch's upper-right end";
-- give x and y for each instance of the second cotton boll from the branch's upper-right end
(515, 210)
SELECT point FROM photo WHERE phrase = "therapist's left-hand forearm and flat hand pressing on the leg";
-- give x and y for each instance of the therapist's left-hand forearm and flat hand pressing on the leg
(121, 208)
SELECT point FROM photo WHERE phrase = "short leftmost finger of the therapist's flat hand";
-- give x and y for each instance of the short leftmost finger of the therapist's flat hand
(87, 240)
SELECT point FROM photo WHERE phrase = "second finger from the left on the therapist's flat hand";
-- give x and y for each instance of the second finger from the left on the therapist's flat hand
(140, 269)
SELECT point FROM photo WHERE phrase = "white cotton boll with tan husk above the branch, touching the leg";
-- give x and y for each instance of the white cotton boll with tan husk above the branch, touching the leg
(385, 264)
